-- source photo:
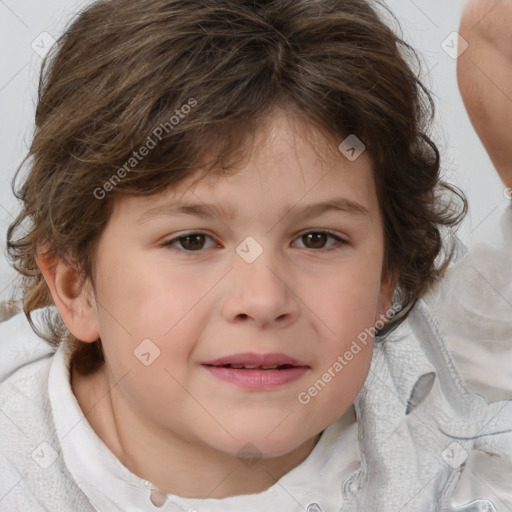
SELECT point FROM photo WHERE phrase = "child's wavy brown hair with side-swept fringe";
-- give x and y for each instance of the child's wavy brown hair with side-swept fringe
(202, 75)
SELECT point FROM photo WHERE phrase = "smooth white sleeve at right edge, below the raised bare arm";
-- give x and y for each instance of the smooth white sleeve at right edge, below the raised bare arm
(473, 306)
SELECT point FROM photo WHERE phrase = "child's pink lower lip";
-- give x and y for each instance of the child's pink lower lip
(257, 379)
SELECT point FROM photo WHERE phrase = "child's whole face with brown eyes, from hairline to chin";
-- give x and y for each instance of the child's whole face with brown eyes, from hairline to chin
(307, 298)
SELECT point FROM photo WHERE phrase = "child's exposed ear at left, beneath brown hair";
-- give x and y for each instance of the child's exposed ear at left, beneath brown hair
(75, 301)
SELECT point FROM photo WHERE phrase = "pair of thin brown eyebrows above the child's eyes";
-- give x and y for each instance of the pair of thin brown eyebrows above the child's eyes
(207, 210)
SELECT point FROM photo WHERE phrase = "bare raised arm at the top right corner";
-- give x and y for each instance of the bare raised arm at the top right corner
(484, 74)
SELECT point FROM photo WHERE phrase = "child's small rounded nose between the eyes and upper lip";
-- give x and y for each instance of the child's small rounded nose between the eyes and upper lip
(260, 293)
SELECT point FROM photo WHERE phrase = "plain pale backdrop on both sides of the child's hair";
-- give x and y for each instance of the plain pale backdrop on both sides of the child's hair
(425, 24)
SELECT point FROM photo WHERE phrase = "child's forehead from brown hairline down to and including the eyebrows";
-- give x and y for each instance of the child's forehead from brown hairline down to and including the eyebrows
(287, 163)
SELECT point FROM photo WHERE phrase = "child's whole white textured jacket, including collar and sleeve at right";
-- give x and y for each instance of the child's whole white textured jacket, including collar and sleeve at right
(433, 430)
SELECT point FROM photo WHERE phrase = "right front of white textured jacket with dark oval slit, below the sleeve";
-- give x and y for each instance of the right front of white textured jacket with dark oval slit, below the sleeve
(415, 460)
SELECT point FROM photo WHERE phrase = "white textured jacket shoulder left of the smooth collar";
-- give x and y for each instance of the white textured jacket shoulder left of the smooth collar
(30, 477)
